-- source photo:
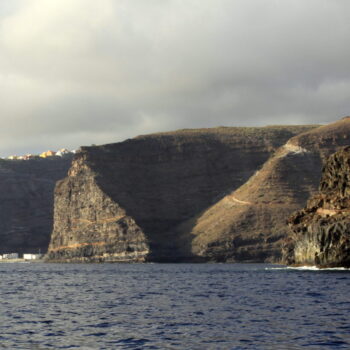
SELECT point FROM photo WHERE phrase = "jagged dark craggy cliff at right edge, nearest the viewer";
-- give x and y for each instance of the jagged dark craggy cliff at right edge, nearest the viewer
(321, 231)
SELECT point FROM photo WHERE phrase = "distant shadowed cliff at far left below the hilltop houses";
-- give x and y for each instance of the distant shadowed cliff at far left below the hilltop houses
(26, 202)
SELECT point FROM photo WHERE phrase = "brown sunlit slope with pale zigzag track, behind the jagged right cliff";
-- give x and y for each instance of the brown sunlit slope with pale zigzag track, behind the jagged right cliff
(249, 224)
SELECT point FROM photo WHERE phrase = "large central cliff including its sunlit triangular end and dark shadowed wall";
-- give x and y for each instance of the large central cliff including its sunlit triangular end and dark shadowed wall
(134, 201)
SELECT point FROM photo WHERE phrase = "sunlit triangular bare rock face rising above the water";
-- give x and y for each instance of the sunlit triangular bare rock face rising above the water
(119, 238)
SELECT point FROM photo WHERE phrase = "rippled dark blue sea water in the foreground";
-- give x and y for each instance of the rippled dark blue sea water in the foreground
(168, 306)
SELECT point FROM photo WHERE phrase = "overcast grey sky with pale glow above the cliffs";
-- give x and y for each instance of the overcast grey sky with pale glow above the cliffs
(82, 72)
